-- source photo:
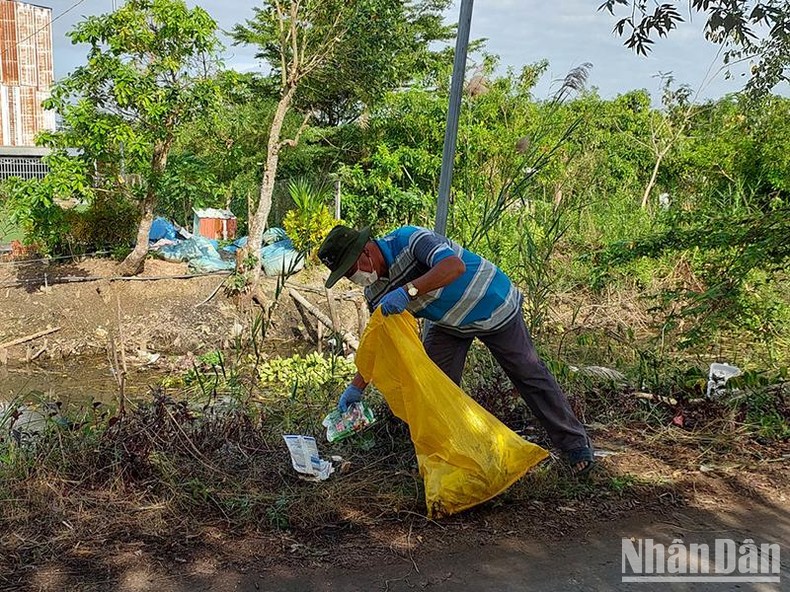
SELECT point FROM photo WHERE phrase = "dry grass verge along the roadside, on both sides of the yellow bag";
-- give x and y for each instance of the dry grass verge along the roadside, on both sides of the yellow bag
(175, 480)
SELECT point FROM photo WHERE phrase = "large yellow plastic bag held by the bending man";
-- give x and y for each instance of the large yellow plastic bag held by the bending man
(466, 455)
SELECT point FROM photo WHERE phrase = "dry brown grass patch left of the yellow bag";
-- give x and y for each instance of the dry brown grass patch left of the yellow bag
(165, 472)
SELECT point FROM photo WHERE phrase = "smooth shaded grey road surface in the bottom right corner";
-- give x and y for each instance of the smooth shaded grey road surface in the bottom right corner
(587, 560)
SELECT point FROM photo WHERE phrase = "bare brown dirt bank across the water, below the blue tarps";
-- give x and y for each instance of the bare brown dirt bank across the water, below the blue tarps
(162, 316)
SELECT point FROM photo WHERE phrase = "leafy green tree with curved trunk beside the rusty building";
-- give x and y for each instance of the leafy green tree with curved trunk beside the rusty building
(149, 71)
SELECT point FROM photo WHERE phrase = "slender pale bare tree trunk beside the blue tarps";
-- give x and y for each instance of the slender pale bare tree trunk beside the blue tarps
(259, 220)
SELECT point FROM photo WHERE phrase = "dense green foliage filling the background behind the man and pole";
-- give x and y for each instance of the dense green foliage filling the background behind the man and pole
(556, 190)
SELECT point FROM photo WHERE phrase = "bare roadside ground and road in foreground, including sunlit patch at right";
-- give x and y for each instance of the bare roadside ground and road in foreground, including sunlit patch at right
(505, 544)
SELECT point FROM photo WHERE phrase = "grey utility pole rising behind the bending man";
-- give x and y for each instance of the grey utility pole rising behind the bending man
(451, 131)
